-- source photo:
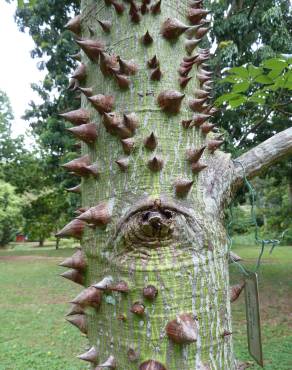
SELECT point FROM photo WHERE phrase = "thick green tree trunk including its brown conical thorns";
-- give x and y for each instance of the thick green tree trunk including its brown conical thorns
(156, 249)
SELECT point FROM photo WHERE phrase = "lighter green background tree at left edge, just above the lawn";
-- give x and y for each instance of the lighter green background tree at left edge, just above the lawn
(44, 206)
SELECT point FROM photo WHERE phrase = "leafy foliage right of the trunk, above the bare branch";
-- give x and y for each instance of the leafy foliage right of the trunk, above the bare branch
(246, 34)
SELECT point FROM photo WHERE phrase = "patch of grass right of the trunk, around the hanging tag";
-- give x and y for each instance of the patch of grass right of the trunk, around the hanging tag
(275, 291)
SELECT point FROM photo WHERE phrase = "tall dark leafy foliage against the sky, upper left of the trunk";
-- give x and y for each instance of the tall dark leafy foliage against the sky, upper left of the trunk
(53, 45)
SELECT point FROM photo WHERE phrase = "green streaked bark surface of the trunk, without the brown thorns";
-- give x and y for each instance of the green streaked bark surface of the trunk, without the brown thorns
(186, 259)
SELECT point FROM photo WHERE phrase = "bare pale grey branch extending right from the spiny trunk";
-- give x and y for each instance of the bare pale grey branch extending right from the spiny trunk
(256, 160)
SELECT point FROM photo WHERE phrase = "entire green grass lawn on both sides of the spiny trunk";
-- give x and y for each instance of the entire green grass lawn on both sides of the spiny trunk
(35, 336)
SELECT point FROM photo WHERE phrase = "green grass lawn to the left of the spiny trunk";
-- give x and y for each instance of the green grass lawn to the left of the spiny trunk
(33, 302)
